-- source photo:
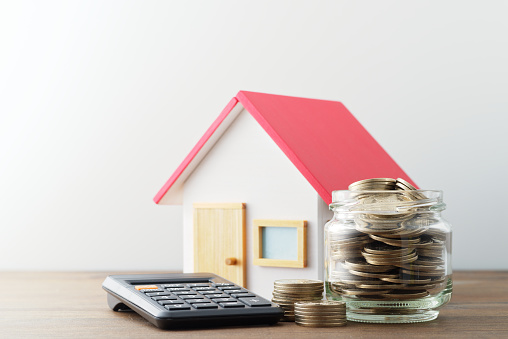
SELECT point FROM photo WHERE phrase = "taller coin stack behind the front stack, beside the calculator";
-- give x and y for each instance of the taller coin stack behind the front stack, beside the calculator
(288, 291)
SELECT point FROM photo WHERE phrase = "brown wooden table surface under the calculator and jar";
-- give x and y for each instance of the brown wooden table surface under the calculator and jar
(73, 305)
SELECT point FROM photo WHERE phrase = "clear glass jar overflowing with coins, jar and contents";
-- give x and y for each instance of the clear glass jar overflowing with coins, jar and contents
(388, 252)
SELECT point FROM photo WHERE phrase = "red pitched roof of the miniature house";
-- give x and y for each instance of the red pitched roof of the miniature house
(322, 139)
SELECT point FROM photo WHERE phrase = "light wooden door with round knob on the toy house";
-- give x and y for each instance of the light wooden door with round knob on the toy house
(219, 240)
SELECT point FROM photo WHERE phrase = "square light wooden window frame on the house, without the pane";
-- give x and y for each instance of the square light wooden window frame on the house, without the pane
(301, 231)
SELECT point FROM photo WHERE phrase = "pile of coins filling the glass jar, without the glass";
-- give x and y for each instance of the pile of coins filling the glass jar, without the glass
(390, 252)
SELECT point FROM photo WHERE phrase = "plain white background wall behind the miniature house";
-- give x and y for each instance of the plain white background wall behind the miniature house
(101, 100)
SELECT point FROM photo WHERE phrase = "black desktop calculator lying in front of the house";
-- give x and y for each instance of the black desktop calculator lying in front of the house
(188, 300)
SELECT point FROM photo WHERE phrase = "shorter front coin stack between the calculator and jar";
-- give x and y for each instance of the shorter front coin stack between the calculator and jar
(320, 313)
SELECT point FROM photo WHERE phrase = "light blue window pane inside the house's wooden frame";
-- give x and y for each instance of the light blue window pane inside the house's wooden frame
(279, 243)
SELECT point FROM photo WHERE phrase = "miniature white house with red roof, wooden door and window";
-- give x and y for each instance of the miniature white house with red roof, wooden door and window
(256, 187)
